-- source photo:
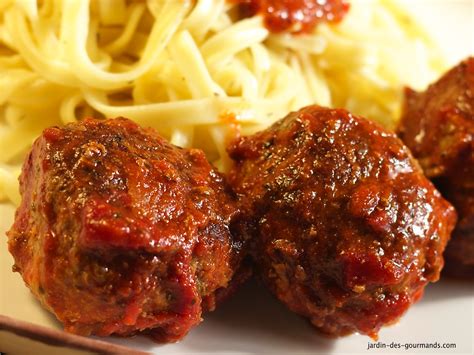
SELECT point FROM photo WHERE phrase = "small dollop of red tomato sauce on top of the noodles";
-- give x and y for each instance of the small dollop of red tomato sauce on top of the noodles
(296, 16)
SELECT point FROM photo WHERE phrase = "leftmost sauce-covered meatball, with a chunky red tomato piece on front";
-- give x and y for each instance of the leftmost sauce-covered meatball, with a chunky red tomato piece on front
(119, 231)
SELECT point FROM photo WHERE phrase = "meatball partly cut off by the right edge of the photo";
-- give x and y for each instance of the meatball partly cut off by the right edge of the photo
(438, 126)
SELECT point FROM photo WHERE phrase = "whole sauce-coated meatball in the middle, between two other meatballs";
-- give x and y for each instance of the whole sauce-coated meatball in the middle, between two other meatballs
(346, 229)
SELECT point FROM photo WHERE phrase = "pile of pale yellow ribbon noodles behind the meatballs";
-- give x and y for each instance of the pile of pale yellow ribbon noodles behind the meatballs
(193, 70)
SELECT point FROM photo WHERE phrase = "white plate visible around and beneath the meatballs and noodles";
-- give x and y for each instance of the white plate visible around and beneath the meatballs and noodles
(253, 322)
